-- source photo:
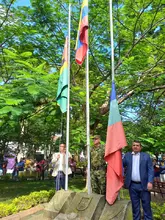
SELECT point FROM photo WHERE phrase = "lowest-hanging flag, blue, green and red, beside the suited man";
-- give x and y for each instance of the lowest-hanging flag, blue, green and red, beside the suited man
(115, 141)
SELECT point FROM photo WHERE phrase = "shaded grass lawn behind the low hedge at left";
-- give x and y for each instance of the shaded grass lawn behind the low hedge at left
(11, 189)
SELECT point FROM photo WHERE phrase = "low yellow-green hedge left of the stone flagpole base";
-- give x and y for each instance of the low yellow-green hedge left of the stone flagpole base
(25, 202)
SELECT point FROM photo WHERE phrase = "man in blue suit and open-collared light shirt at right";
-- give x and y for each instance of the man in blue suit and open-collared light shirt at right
(139, 180)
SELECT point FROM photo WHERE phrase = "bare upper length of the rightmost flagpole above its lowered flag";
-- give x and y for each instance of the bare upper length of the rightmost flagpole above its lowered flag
(112, 41)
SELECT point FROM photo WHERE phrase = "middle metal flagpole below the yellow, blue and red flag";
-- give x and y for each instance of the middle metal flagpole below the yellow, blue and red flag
(88, 123)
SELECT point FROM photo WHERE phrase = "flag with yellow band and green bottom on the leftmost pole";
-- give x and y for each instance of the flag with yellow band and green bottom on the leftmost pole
(62, 92)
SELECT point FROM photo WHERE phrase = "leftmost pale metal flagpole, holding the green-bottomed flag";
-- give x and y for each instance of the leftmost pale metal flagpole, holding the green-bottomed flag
(68, 101)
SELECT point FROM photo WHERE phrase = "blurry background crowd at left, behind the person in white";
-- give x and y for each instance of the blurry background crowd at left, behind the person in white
(9, 164)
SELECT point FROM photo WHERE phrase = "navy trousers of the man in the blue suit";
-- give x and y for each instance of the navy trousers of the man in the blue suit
(137, 194)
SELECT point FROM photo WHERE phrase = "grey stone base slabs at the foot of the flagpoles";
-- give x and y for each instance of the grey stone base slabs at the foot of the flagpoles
(66, 205)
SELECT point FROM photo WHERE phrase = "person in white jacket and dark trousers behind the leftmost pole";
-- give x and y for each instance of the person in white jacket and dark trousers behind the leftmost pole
(58, 160)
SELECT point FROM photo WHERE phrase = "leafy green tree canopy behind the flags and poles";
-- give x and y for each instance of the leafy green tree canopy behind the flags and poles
(31, 46)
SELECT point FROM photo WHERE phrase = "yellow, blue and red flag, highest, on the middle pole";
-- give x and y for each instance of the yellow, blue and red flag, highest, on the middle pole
(82, 36)
